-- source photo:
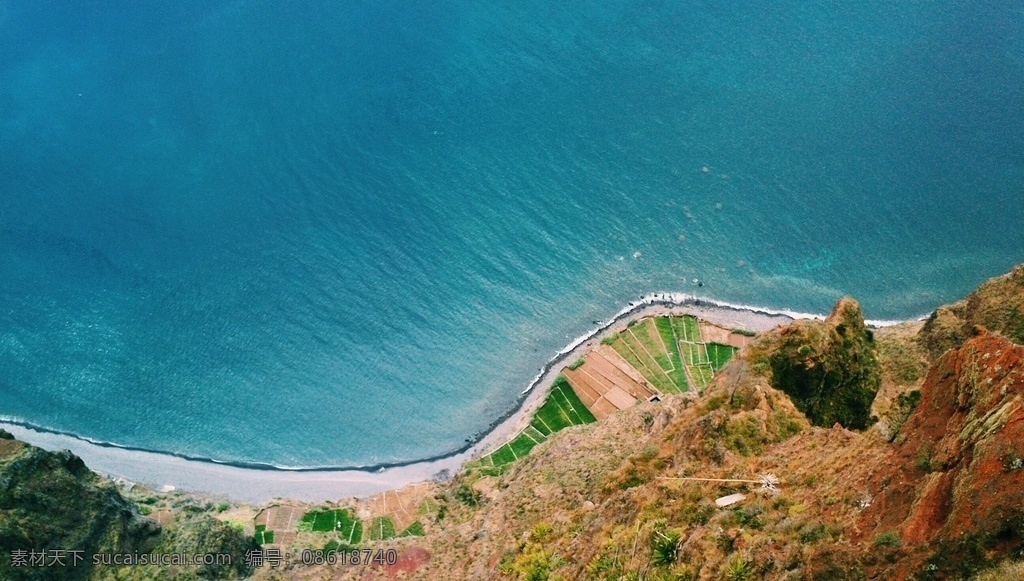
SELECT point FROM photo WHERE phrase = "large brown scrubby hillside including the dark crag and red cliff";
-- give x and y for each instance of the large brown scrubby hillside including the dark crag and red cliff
(937, 496)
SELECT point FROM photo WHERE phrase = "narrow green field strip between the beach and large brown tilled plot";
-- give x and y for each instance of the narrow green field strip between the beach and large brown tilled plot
(562, 409)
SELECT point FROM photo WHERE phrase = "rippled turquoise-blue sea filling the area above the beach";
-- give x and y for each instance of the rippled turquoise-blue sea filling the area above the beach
(350, 233)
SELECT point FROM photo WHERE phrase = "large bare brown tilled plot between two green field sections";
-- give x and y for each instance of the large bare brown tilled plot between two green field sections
(606, 383)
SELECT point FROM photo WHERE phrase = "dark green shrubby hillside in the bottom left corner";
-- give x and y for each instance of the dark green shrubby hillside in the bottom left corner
(52, 504)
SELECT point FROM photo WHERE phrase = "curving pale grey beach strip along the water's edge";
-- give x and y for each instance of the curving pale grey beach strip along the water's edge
(260, 483)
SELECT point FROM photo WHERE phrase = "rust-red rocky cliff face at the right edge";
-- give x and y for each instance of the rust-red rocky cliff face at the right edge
(955, 491)
